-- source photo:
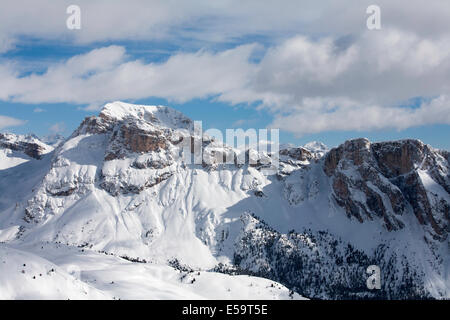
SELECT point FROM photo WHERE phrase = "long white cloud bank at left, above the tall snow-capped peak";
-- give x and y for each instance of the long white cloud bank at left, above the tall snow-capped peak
(107, 74)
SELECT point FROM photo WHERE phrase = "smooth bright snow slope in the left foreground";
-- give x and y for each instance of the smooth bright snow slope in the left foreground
(55, 271)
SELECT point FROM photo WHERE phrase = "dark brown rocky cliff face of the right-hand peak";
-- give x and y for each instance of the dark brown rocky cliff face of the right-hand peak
(383, 180)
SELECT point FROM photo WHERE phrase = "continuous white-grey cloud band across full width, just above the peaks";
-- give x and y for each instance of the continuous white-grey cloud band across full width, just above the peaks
(310, 85)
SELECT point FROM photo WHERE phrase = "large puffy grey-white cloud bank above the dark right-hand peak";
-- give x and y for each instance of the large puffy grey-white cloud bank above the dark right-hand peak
(315, 86)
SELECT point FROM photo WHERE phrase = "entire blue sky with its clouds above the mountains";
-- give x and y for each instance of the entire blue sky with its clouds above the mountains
(315, 75)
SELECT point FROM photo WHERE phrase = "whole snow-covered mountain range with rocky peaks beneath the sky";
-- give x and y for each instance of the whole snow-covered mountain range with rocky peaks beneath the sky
(121, 185)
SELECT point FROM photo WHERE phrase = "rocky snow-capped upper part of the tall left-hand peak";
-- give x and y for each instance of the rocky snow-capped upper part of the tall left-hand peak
(124, 150)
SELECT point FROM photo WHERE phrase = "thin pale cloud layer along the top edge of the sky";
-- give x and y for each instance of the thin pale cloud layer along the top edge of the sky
(214, 21)
